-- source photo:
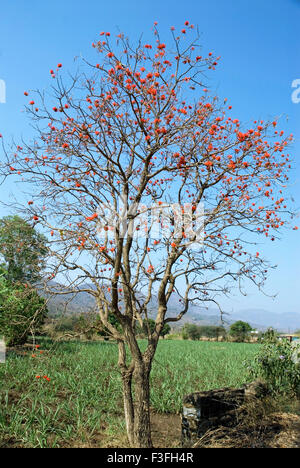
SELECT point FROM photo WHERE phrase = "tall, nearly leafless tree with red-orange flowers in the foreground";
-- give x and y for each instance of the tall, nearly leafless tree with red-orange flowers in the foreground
(148, 187)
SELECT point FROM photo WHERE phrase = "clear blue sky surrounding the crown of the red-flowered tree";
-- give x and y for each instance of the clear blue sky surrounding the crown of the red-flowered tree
(260, 48)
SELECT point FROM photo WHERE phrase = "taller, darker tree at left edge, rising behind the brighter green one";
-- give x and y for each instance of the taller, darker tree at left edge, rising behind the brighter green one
(22, 248)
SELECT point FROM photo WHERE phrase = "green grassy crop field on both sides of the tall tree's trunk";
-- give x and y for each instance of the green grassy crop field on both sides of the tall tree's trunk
(83, 397)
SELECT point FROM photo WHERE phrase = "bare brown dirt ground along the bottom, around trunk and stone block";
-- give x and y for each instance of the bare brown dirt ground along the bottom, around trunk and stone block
(279, 430)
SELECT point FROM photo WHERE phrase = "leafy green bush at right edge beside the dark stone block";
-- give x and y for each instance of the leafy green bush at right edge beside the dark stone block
(275, 363)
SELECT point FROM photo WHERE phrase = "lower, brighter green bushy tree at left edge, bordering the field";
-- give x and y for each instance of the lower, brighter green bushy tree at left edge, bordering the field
(22, 311)
